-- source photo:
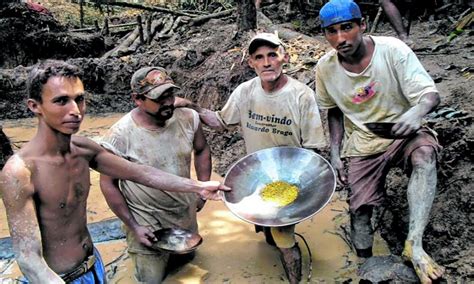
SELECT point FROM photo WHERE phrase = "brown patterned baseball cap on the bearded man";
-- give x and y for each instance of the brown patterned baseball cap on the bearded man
(151, 82)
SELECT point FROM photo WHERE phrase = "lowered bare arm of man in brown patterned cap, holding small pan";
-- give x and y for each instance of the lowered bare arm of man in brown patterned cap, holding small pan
(117, 203)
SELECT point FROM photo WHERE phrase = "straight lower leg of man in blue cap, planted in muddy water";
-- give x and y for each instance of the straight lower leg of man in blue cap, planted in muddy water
(362, 233)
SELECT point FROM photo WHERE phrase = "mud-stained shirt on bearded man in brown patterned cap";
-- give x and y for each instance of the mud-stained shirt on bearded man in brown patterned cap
(170, 149)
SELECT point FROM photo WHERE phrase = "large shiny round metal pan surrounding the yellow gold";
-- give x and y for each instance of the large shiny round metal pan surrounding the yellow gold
(310, 172)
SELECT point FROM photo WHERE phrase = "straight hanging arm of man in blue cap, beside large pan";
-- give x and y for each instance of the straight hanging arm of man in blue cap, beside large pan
(336, 133)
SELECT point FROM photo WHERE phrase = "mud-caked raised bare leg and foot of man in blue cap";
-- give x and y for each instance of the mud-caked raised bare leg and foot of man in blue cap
(421, 192)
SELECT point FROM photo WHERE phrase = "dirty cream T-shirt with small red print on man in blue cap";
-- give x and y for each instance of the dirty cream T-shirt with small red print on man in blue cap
(393, 82)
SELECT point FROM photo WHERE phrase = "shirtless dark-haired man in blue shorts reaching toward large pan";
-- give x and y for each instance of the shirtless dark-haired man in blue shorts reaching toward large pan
(45, 185)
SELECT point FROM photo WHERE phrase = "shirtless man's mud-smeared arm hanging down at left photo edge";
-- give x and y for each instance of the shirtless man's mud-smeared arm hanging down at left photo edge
(17, 190)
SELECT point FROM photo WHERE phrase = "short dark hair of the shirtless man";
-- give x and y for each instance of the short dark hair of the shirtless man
(42, 71)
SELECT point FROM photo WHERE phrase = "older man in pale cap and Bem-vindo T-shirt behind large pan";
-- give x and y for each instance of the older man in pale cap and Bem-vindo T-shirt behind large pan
(273, 110)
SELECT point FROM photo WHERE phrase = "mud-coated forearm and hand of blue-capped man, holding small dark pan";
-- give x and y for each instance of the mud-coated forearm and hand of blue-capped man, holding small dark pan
(411, 120)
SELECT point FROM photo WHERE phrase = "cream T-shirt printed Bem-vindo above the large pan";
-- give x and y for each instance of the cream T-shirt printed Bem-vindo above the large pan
(287, 117)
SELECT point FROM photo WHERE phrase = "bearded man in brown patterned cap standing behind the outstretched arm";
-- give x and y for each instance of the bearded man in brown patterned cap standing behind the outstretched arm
(155, 134)
